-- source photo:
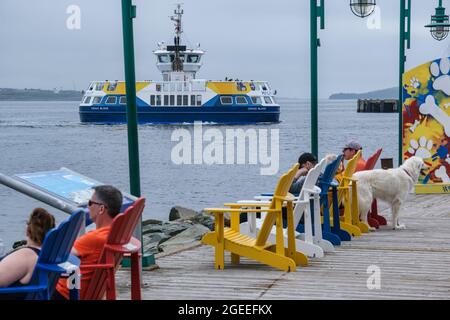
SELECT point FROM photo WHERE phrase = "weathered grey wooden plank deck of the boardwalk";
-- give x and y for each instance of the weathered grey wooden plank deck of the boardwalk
(414, 264)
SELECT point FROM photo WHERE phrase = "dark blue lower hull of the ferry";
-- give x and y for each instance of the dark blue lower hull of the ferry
(174, 115)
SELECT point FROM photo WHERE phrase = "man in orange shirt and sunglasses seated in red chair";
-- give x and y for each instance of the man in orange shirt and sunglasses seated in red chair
(104, 205)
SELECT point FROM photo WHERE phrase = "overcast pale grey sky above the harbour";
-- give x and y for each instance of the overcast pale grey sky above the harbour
(251, 39)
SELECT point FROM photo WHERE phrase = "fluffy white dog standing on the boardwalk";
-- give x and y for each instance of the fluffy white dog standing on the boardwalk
(391, 186)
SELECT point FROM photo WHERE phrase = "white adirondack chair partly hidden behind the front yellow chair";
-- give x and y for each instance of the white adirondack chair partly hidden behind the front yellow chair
(311, 245)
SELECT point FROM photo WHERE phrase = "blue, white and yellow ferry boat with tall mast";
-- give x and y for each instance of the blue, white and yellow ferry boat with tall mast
(180, 97)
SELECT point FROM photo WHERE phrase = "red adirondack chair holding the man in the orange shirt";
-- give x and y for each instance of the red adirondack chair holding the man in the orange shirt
(119, 243)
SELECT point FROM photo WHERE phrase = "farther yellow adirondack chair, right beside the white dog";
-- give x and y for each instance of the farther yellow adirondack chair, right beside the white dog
(350, 221)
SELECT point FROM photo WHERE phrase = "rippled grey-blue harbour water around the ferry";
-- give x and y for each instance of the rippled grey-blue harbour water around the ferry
(40, 136)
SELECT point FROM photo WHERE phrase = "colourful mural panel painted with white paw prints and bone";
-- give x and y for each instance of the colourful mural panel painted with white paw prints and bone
(426, 121)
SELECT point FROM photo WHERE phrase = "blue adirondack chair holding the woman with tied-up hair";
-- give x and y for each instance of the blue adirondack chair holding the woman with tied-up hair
(54, 259)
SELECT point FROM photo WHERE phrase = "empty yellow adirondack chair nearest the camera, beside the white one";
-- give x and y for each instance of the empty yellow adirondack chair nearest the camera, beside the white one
(259, 249)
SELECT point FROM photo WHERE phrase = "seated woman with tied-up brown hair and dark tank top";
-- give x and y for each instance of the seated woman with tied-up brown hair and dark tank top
(16, 268)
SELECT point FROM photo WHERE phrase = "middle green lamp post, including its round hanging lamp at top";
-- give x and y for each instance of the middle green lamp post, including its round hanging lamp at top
(361, 8)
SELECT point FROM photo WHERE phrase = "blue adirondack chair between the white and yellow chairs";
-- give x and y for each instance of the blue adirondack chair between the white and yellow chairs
(333, 234)
